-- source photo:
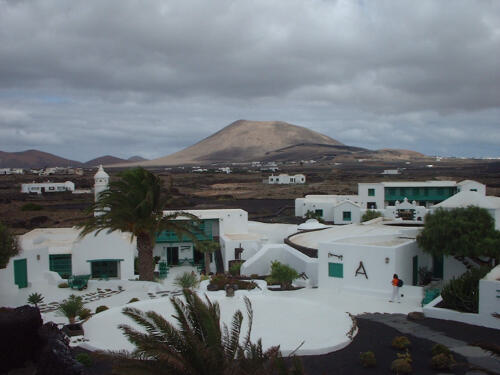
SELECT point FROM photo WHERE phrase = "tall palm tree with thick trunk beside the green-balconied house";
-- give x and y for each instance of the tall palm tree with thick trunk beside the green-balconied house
(135, 204)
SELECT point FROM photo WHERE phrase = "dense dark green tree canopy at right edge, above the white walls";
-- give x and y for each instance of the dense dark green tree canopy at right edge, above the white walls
(460, 232)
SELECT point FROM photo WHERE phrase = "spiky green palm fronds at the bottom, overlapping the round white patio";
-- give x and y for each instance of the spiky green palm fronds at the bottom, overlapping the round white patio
(199, 345)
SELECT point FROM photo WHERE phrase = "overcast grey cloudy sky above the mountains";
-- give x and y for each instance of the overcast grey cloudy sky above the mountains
(83, 79)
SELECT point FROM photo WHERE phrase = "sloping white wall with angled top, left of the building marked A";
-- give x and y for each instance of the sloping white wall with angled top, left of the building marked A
(260, 263)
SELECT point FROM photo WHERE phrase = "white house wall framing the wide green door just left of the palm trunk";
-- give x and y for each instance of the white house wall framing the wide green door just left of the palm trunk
(115, 245)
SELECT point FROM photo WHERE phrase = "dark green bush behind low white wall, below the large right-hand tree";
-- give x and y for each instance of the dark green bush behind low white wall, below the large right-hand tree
(462, 294)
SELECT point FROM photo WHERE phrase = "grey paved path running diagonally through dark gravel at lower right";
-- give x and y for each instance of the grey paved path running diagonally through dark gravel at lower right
(474, 355)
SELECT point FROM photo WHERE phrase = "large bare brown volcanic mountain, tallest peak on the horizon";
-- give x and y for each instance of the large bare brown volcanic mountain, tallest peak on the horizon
(244, 141)
